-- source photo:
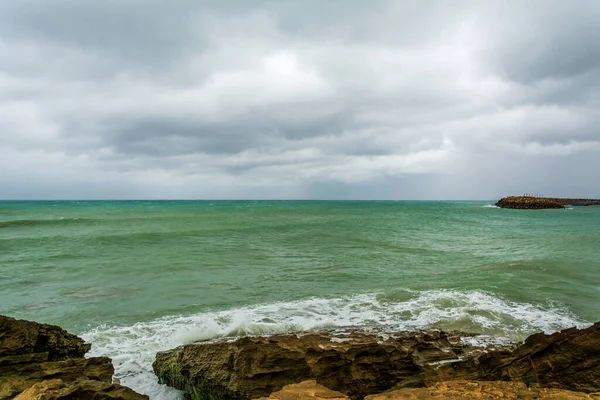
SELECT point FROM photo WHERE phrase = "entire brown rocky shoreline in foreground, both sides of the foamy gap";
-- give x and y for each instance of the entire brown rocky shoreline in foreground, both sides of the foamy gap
(44, 362)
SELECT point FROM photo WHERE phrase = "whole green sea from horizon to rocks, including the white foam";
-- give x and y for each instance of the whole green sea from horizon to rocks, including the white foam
(137, 277)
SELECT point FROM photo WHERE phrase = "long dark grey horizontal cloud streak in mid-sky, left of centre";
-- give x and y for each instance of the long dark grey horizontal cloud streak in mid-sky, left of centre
(159, 137)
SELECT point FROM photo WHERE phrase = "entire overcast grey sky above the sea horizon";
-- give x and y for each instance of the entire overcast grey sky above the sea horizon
(311, 99)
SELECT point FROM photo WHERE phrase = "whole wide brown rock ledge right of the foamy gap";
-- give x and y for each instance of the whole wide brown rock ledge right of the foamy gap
(410, 365)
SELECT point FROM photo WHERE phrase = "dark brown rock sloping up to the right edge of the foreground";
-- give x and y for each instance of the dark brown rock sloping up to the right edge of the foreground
(569, 360)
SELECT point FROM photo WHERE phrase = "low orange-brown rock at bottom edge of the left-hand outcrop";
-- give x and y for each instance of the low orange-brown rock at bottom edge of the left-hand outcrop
(57, 389)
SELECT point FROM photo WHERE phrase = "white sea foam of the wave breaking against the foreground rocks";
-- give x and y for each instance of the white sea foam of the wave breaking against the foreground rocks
(133, 348)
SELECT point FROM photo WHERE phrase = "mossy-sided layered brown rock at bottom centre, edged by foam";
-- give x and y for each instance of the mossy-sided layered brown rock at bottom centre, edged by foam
(353, 363)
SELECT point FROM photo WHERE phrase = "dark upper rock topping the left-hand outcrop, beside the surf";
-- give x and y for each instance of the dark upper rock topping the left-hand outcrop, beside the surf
(19, 337)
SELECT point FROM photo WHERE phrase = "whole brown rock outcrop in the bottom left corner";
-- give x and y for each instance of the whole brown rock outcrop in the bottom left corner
(45, 362)
